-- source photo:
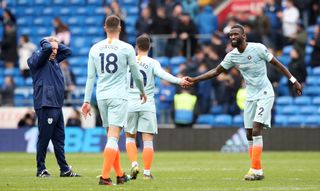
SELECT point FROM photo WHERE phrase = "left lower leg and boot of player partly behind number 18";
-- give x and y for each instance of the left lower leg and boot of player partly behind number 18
(132, 152)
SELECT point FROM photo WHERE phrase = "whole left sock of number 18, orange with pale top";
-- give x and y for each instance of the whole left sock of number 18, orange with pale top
(109, 154)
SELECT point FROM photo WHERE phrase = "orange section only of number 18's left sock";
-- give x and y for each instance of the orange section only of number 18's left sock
(109, 155)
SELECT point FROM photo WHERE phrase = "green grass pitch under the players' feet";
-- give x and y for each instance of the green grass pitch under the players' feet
(172, 171)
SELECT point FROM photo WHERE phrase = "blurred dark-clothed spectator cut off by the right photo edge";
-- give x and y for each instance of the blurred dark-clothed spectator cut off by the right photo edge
(315, 43)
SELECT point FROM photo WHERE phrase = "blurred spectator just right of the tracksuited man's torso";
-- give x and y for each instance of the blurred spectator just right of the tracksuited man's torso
(69, 81)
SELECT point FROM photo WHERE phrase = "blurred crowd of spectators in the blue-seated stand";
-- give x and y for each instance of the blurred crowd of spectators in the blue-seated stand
(187, 40)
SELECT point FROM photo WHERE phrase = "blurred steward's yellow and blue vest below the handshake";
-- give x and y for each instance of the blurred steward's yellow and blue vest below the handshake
(184, 108)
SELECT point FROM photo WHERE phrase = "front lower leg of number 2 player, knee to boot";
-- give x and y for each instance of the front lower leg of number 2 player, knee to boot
(255, 172)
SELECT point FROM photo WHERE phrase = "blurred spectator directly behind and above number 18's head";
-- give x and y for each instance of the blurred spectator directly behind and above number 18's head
(114, 9)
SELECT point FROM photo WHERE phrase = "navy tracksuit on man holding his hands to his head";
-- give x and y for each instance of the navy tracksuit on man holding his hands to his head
(48, 95)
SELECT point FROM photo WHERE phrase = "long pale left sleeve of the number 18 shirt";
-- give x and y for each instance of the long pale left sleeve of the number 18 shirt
(90, 78)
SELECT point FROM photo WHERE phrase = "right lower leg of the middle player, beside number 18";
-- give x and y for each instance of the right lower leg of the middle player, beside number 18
(147, 155)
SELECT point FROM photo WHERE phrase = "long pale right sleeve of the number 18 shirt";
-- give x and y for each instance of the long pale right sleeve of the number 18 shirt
(137, 77)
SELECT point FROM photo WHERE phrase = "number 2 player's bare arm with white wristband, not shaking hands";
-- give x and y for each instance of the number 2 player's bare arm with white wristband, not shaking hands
(285, 71)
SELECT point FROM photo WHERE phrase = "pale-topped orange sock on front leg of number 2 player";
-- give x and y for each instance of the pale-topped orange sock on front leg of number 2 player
(256, 152)
